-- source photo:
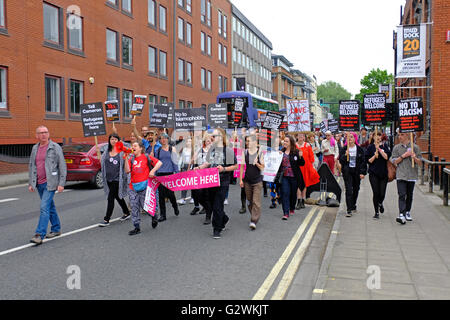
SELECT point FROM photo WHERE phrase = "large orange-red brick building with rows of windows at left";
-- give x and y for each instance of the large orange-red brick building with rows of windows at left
(58, 54)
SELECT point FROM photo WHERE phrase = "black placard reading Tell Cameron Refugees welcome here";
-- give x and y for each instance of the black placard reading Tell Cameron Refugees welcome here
(93, 119)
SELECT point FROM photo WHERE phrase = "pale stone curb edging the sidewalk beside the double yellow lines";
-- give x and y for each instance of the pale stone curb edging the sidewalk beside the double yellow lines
(319, 287)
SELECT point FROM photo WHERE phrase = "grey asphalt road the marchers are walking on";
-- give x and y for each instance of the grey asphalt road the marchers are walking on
(177, 260)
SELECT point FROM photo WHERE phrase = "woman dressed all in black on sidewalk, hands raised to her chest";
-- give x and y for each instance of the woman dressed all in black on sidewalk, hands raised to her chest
(377, 156)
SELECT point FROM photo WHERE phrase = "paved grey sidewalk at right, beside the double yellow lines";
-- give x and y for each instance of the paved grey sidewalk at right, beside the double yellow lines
(413, 259)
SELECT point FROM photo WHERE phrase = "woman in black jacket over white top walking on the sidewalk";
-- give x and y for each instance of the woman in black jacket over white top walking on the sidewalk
(354, 168)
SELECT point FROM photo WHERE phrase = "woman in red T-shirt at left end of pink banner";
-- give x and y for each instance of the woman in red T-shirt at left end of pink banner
(142, 167)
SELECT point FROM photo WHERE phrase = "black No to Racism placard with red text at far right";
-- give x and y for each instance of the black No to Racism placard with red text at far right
(410, 115)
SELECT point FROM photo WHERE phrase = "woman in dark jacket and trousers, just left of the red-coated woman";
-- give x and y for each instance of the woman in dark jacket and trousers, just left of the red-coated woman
(290, 175)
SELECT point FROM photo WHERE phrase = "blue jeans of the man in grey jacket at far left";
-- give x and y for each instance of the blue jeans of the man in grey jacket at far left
(48, 211)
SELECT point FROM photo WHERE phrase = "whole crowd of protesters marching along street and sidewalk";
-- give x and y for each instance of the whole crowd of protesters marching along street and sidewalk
(153, 154)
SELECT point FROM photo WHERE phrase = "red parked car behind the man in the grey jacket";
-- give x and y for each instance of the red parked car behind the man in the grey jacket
(83, 164)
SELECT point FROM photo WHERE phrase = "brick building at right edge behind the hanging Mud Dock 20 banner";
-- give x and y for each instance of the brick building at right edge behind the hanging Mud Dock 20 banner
(437, 98)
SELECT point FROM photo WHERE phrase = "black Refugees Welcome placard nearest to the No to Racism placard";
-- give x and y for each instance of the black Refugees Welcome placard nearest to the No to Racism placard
(374, 109)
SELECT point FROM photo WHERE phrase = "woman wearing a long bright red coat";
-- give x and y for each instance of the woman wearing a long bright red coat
(310, 175)
